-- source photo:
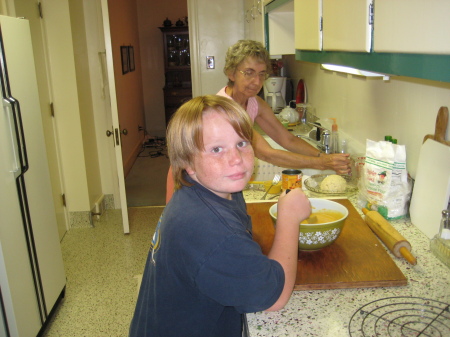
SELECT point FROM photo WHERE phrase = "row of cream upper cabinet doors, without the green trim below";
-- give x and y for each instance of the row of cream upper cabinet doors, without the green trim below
(402, 26)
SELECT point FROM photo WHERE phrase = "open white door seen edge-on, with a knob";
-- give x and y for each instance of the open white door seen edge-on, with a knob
(115, 130)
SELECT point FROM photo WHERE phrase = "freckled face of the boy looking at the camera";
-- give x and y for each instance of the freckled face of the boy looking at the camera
(226, 164)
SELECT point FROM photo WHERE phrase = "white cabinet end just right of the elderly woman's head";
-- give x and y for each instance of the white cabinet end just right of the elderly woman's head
(279, 18)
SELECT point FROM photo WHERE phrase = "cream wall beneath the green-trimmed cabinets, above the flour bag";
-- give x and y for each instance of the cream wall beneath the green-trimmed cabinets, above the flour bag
(402, 107)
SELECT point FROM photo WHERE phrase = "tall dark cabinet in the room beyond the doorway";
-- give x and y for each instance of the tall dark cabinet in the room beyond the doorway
(177, 67)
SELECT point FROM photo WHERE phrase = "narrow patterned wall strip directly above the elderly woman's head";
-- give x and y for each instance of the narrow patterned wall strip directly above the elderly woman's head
(254, 20)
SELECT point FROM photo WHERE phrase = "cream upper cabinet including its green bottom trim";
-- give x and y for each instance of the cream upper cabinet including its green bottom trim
(420, 48)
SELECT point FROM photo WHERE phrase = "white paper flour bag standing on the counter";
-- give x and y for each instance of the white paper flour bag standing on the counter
(384, 185)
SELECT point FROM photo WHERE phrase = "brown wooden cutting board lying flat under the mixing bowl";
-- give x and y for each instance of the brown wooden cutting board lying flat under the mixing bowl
(357, 259)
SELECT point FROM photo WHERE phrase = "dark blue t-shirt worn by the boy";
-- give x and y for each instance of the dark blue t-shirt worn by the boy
(204, 270)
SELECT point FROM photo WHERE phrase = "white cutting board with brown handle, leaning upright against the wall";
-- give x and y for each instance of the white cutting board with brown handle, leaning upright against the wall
(431, 191)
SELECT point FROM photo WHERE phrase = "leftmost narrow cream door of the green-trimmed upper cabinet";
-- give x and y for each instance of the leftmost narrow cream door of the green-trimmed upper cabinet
(308, 30)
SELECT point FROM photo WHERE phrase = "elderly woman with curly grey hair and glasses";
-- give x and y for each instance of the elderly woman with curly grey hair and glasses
(246, 65)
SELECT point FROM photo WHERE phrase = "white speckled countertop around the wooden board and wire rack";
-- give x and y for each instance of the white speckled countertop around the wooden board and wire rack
(327, 313)
